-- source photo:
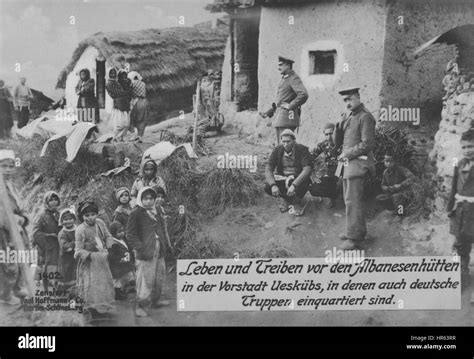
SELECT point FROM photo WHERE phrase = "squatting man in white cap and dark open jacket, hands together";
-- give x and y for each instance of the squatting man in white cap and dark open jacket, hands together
(293, 167)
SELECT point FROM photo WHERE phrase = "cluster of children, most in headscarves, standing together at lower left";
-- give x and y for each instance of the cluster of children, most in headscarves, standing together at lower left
(82, 256)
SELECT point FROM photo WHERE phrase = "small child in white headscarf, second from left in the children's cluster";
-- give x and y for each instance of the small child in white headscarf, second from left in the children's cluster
(67, 237)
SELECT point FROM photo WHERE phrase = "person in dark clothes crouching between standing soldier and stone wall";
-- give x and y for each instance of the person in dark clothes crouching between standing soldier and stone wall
(396, 181)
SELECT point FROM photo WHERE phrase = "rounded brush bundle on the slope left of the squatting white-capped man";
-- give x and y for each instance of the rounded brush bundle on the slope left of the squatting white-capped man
(221, 188)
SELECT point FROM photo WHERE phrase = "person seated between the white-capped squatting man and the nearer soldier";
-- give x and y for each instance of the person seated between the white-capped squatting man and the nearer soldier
(326, 185)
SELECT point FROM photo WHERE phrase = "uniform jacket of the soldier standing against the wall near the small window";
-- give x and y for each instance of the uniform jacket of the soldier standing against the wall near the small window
(292, 91)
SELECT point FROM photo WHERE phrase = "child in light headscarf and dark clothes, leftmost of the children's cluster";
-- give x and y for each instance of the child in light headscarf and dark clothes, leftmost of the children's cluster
(45, 237)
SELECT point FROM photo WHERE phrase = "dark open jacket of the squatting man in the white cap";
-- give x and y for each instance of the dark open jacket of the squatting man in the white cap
(302, 163)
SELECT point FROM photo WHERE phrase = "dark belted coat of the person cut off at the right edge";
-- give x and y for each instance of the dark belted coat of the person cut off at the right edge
(462, 220)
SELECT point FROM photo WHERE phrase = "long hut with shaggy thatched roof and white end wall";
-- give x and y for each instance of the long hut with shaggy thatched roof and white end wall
(169, 60)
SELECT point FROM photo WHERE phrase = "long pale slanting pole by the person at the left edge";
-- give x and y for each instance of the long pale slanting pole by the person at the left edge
(16, 236)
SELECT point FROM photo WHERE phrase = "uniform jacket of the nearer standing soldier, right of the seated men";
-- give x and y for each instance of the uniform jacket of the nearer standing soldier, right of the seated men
(358, 133)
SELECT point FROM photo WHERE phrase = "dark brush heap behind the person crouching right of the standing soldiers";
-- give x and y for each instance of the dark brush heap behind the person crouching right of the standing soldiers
(394, 140)
